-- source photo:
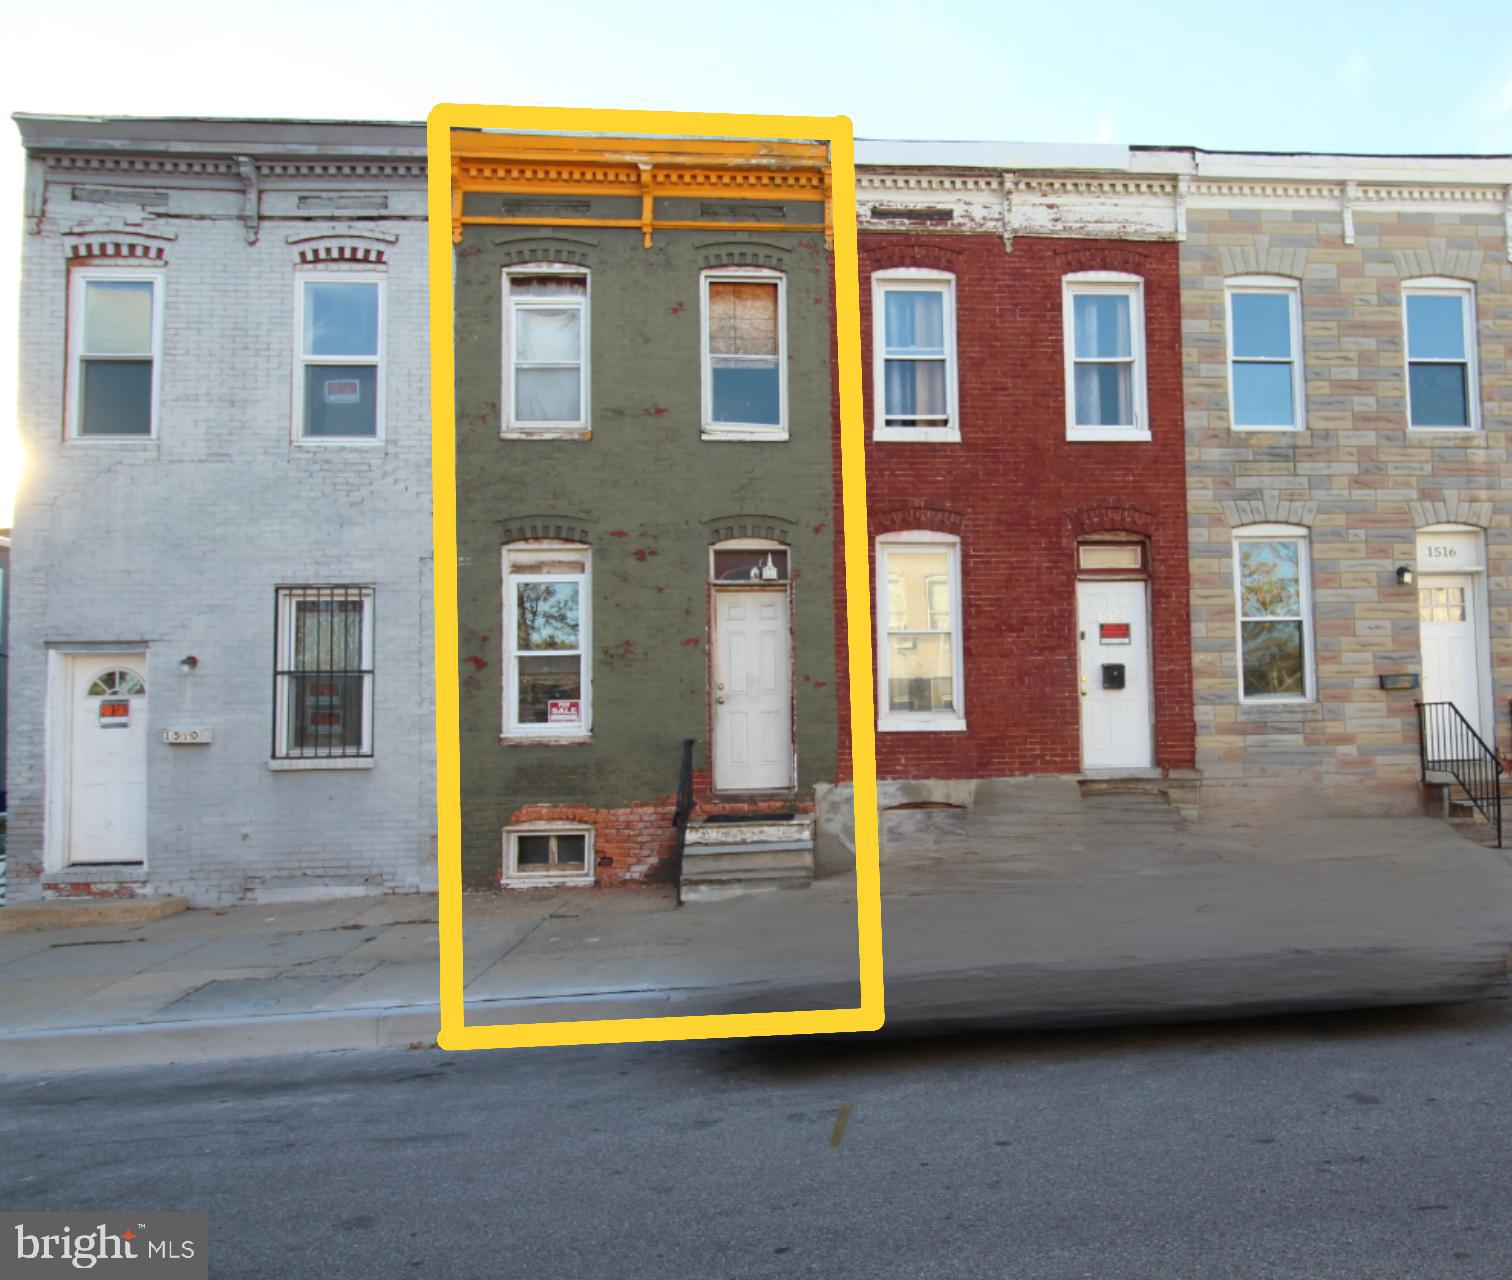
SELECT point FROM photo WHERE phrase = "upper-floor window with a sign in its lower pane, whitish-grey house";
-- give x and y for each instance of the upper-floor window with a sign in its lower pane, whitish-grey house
(339, 357)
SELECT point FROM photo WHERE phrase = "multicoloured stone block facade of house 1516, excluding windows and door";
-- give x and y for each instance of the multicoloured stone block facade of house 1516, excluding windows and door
(1356, 481)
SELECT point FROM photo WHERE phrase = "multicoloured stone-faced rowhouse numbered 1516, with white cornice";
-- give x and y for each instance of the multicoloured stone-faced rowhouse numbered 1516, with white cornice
(1346, 330)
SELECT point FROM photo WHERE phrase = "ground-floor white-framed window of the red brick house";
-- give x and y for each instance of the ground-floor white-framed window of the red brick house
(919, 645)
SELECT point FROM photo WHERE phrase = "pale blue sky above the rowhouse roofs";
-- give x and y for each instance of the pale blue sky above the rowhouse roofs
(1277, 76)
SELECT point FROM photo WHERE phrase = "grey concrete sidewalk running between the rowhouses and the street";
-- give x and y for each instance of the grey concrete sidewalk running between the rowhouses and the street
(1033, 907)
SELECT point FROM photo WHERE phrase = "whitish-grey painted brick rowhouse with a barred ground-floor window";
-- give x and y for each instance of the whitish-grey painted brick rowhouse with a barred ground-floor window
(225, 524)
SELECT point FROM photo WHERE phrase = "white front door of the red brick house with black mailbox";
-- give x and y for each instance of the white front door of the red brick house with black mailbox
(1115, 676)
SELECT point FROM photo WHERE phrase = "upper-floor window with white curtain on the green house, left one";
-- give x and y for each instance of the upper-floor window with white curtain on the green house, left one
(547, 350)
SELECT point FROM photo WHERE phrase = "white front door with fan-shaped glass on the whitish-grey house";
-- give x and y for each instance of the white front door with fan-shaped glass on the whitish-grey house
(108, 758)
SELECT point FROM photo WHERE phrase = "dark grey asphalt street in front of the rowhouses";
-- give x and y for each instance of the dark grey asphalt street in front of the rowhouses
(1325, 1146)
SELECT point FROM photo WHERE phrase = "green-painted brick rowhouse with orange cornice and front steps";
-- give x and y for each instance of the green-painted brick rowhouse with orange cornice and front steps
(645, 490)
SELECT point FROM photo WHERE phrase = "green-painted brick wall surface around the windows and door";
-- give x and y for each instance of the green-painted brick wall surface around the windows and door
(649, 496)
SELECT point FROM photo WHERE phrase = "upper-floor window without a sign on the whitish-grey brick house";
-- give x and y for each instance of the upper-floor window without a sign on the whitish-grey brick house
(117, 333)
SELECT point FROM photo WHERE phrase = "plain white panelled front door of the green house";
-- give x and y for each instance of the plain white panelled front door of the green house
(752, 696)
